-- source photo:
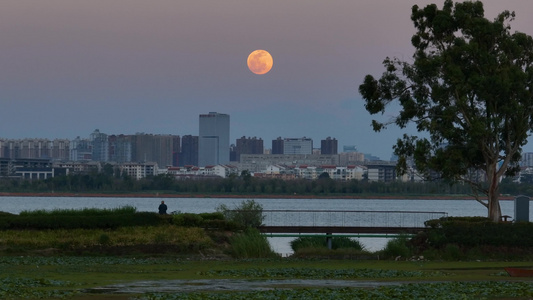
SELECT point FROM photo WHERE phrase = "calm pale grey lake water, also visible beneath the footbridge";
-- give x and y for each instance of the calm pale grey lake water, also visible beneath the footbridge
(199, 205)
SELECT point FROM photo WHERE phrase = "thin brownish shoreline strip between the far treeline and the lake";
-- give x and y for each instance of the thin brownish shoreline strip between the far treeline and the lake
(264, 196)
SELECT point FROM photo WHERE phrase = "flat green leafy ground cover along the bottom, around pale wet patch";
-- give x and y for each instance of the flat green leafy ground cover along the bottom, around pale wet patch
(77, 277)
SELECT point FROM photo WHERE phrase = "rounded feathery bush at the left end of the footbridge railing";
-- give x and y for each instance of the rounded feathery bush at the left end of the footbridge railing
(248, 214)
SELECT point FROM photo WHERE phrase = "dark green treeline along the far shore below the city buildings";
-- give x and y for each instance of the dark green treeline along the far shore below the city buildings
(244, 186)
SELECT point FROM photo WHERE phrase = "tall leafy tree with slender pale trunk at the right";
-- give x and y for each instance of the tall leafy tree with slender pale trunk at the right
(469, 90)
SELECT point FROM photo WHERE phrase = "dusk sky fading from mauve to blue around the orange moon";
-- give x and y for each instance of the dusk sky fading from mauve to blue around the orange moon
(126, 66)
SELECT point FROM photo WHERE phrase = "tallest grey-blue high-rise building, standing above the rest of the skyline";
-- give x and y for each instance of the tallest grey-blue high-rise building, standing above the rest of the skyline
(213, 140)
